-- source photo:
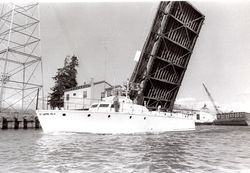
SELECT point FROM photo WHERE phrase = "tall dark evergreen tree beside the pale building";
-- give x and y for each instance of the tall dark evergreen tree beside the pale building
(65, 78)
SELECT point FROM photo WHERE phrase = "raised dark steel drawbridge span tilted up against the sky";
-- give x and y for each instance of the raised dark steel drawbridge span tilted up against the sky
(166, 53)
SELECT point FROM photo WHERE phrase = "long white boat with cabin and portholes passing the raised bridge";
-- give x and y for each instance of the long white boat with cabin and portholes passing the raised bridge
(102, 118)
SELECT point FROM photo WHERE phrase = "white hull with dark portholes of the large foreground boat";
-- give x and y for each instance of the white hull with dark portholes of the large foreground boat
(110, 123)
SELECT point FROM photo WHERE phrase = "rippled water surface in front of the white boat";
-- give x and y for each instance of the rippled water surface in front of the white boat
(208, 149)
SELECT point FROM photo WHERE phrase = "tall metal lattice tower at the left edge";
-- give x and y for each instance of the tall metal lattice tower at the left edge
(20, 60)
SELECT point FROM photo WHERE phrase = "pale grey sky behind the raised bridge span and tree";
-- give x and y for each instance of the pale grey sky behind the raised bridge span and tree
(106, 35)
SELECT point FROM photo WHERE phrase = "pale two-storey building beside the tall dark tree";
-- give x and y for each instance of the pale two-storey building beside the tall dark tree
(81, 97)
